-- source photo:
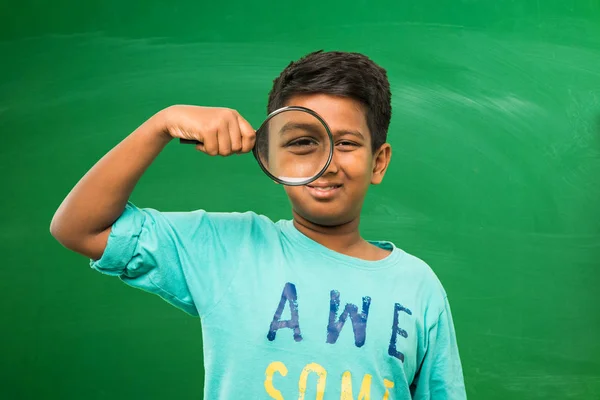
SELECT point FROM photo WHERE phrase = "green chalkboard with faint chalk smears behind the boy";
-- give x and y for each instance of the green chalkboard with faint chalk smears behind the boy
(495, 179)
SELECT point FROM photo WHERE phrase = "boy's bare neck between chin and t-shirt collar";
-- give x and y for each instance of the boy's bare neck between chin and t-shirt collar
(343, 238)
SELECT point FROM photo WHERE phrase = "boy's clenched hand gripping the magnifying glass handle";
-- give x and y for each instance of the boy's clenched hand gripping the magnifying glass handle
(219, 131)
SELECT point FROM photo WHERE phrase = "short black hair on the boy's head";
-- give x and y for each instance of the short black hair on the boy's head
(339, 73)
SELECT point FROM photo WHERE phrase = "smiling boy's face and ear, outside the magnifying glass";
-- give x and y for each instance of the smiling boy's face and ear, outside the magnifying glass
(353, 168)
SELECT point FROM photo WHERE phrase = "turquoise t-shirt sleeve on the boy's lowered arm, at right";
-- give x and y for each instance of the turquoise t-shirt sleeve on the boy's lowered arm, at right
(440, 376)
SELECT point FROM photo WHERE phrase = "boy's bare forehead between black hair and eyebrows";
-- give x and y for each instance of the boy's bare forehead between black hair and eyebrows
(340, 113)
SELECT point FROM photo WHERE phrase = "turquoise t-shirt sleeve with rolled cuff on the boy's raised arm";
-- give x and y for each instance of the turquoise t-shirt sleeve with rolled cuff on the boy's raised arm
(187, 258)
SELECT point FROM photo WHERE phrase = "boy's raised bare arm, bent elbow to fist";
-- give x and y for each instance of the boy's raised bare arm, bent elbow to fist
(83, 221)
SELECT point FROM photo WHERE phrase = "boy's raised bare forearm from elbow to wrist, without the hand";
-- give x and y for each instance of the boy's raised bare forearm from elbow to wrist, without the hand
(99, 198)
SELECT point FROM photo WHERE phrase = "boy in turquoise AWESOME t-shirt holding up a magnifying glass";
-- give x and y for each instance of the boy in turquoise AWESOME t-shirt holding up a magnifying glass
(302, 308)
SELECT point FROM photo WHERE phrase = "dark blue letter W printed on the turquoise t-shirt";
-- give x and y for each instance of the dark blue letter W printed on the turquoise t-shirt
(359, 321)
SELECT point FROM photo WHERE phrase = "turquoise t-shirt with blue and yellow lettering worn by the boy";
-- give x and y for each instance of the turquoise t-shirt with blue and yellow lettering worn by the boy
(284, 317)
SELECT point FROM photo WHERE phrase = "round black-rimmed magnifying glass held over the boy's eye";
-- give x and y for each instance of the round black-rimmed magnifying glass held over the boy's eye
(293, 146)
